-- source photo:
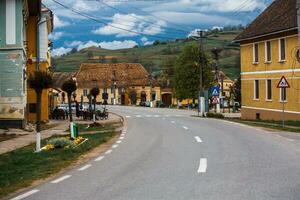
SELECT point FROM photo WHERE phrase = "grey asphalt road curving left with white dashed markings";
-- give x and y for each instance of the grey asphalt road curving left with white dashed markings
(167, 154)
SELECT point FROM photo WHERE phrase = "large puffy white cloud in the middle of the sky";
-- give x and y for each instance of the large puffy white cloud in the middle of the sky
(130, 22)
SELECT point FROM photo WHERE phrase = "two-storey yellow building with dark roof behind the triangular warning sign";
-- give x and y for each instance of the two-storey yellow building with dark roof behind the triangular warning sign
(269, 47)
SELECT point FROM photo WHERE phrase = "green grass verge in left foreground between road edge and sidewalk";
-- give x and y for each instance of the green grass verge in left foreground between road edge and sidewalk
(20, 168)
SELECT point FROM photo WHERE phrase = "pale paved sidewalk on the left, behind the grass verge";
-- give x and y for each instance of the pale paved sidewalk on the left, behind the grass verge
(26, 138)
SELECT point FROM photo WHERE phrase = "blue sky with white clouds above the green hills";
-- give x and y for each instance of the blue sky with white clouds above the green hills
(117, 24)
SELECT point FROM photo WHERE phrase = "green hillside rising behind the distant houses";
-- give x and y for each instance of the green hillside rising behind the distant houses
(153, 56)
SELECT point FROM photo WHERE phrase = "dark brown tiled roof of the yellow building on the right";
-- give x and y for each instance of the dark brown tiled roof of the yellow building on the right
(280, 16)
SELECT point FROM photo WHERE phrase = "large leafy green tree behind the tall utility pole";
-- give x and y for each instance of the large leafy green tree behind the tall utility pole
(187, 73)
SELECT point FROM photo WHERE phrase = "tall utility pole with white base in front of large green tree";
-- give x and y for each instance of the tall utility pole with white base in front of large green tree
(201, 100)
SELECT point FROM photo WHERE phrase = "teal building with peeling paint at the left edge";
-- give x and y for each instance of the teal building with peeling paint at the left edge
(13, 59)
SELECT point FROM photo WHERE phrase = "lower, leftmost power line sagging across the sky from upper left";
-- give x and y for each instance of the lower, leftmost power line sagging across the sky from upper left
(107, 24)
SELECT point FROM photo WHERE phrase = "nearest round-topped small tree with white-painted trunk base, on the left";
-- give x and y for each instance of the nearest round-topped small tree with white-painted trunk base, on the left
(39, 81)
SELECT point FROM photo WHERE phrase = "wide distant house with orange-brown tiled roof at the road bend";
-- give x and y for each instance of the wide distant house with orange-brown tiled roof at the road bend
(124, 83)
